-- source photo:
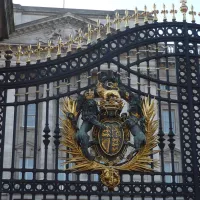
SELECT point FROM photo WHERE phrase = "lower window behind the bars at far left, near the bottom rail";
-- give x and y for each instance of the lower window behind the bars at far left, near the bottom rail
(28, 165)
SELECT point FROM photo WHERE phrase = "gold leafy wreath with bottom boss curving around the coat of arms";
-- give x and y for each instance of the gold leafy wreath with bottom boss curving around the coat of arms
(141, 162)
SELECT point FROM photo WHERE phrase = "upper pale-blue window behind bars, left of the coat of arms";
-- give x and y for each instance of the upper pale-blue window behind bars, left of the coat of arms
(31, 109)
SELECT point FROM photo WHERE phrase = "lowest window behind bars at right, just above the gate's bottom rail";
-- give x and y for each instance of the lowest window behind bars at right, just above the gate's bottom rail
(168, 168)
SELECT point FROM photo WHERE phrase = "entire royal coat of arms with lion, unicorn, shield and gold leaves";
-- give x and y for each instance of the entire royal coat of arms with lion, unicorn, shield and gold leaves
(111, 148)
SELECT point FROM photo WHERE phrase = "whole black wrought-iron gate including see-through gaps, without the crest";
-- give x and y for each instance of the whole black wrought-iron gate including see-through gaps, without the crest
(160, 60)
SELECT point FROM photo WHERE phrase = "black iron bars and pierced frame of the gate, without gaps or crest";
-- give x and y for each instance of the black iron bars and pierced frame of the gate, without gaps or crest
(188, 86)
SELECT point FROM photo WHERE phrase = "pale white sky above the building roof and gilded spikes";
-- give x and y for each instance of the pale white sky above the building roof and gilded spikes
(113, 5)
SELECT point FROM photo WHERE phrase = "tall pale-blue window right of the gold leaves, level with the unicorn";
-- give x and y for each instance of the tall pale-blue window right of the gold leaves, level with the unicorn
(166, 122)
